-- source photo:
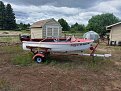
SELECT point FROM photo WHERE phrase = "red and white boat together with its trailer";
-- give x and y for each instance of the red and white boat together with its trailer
(43, 47)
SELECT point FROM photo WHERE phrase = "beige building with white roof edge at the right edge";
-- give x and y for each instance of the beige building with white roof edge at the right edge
(115, 33)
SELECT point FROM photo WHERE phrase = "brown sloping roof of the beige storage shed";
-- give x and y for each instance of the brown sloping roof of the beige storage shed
(40, 23)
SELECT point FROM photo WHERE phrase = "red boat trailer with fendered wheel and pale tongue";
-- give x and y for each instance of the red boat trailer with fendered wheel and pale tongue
(40, 54)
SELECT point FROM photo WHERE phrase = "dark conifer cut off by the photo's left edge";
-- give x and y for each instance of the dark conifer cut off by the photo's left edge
(2, 15)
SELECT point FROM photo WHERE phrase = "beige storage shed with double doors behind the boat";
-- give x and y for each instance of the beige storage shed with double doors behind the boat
(45, 29)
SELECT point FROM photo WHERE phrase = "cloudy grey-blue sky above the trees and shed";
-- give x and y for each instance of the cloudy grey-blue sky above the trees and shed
(80, 11)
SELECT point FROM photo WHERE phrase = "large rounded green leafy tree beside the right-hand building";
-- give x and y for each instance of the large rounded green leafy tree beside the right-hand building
(98, 23)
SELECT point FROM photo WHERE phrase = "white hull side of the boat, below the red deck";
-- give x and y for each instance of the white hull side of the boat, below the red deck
(58, 47)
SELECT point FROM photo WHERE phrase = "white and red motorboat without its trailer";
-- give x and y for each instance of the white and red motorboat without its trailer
(59, 45)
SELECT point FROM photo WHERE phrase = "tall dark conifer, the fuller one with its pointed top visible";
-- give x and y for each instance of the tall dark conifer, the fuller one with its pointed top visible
(10, 18)
